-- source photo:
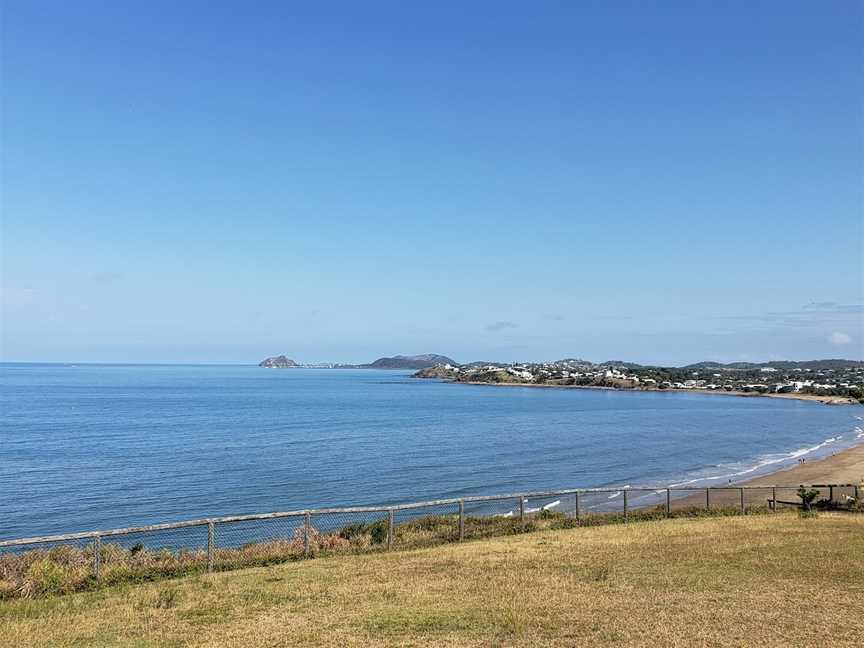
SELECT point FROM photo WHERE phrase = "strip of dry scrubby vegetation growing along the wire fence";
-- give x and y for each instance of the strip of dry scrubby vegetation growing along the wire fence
(65, 568)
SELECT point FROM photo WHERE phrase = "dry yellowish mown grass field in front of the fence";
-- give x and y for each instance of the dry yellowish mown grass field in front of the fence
(764, 580)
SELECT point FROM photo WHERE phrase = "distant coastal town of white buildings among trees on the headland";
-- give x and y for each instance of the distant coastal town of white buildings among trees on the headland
(836, 378)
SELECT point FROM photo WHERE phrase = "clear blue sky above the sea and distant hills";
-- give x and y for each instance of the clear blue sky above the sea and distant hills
(224, 181)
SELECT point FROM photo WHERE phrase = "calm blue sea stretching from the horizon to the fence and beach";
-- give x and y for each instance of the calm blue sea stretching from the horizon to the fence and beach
(100, 446)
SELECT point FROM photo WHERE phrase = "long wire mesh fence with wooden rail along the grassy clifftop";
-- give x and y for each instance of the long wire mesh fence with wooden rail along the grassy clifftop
(56, 564)
